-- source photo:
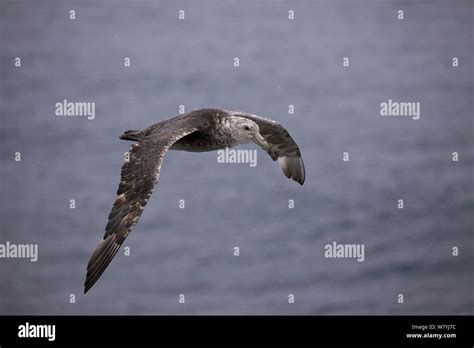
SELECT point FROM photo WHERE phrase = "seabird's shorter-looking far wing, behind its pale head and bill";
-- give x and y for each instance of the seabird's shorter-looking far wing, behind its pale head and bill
(282, 147)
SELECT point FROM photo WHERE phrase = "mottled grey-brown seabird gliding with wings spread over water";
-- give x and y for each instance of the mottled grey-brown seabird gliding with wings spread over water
(199, 130)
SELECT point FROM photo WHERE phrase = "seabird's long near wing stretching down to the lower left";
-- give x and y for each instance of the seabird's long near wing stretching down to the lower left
(139, 175)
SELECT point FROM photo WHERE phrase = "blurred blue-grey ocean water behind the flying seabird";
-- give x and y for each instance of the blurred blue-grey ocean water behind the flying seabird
(189, 62)
